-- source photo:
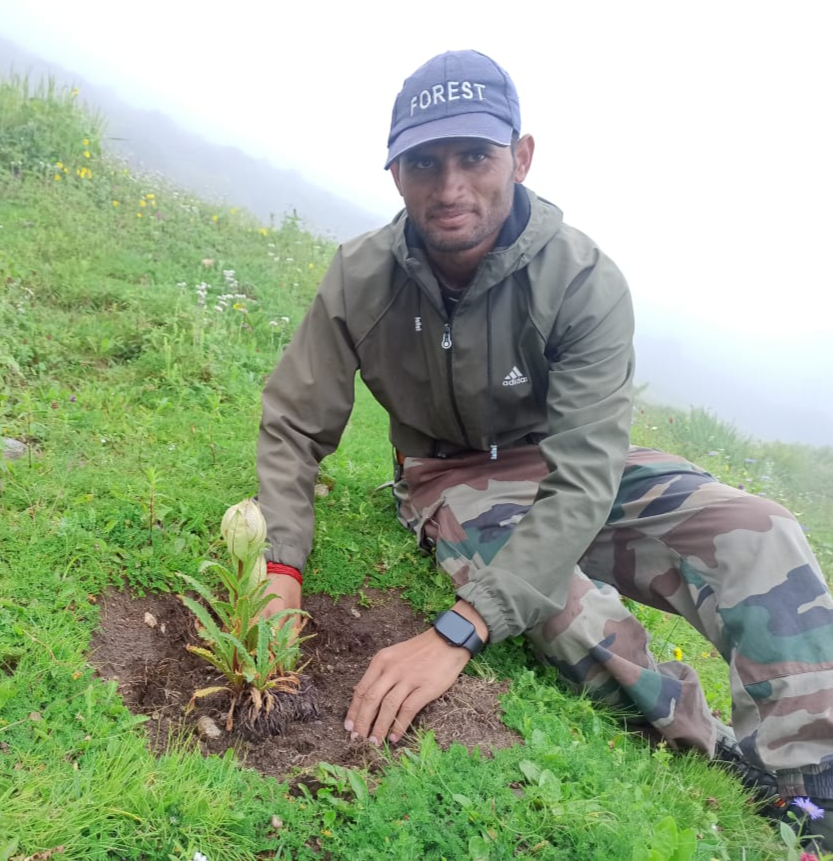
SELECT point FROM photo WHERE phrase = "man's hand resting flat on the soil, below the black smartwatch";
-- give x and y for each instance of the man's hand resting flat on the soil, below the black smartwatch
(404, 678)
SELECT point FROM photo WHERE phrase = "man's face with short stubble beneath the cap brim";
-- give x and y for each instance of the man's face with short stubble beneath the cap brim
(458, 192)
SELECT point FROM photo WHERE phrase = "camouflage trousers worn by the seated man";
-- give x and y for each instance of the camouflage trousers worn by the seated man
(737, 567)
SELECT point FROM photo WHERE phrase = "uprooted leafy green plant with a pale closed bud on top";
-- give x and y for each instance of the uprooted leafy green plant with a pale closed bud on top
(257, 656)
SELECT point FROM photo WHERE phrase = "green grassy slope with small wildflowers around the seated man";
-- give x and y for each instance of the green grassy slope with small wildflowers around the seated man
(140, 407)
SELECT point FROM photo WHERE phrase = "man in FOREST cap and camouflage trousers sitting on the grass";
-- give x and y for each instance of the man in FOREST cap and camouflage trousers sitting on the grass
(499, 340)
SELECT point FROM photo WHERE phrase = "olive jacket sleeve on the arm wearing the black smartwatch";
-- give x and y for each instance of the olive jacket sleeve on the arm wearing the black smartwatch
(589, 404)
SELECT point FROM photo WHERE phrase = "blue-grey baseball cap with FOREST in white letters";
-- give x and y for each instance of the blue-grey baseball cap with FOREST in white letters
(459, 94)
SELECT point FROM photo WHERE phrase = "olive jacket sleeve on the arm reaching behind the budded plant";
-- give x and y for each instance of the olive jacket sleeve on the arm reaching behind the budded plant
(307, 401)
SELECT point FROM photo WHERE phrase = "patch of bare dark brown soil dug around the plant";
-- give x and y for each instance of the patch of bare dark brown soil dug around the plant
(157, 677)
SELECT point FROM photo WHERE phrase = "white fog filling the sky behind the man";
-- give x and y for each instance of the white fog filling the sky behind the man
(691, 141)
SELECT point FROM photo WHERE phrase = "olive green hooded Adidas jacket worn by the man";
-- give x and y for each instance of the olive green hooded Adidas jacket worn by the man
(539, 349)
